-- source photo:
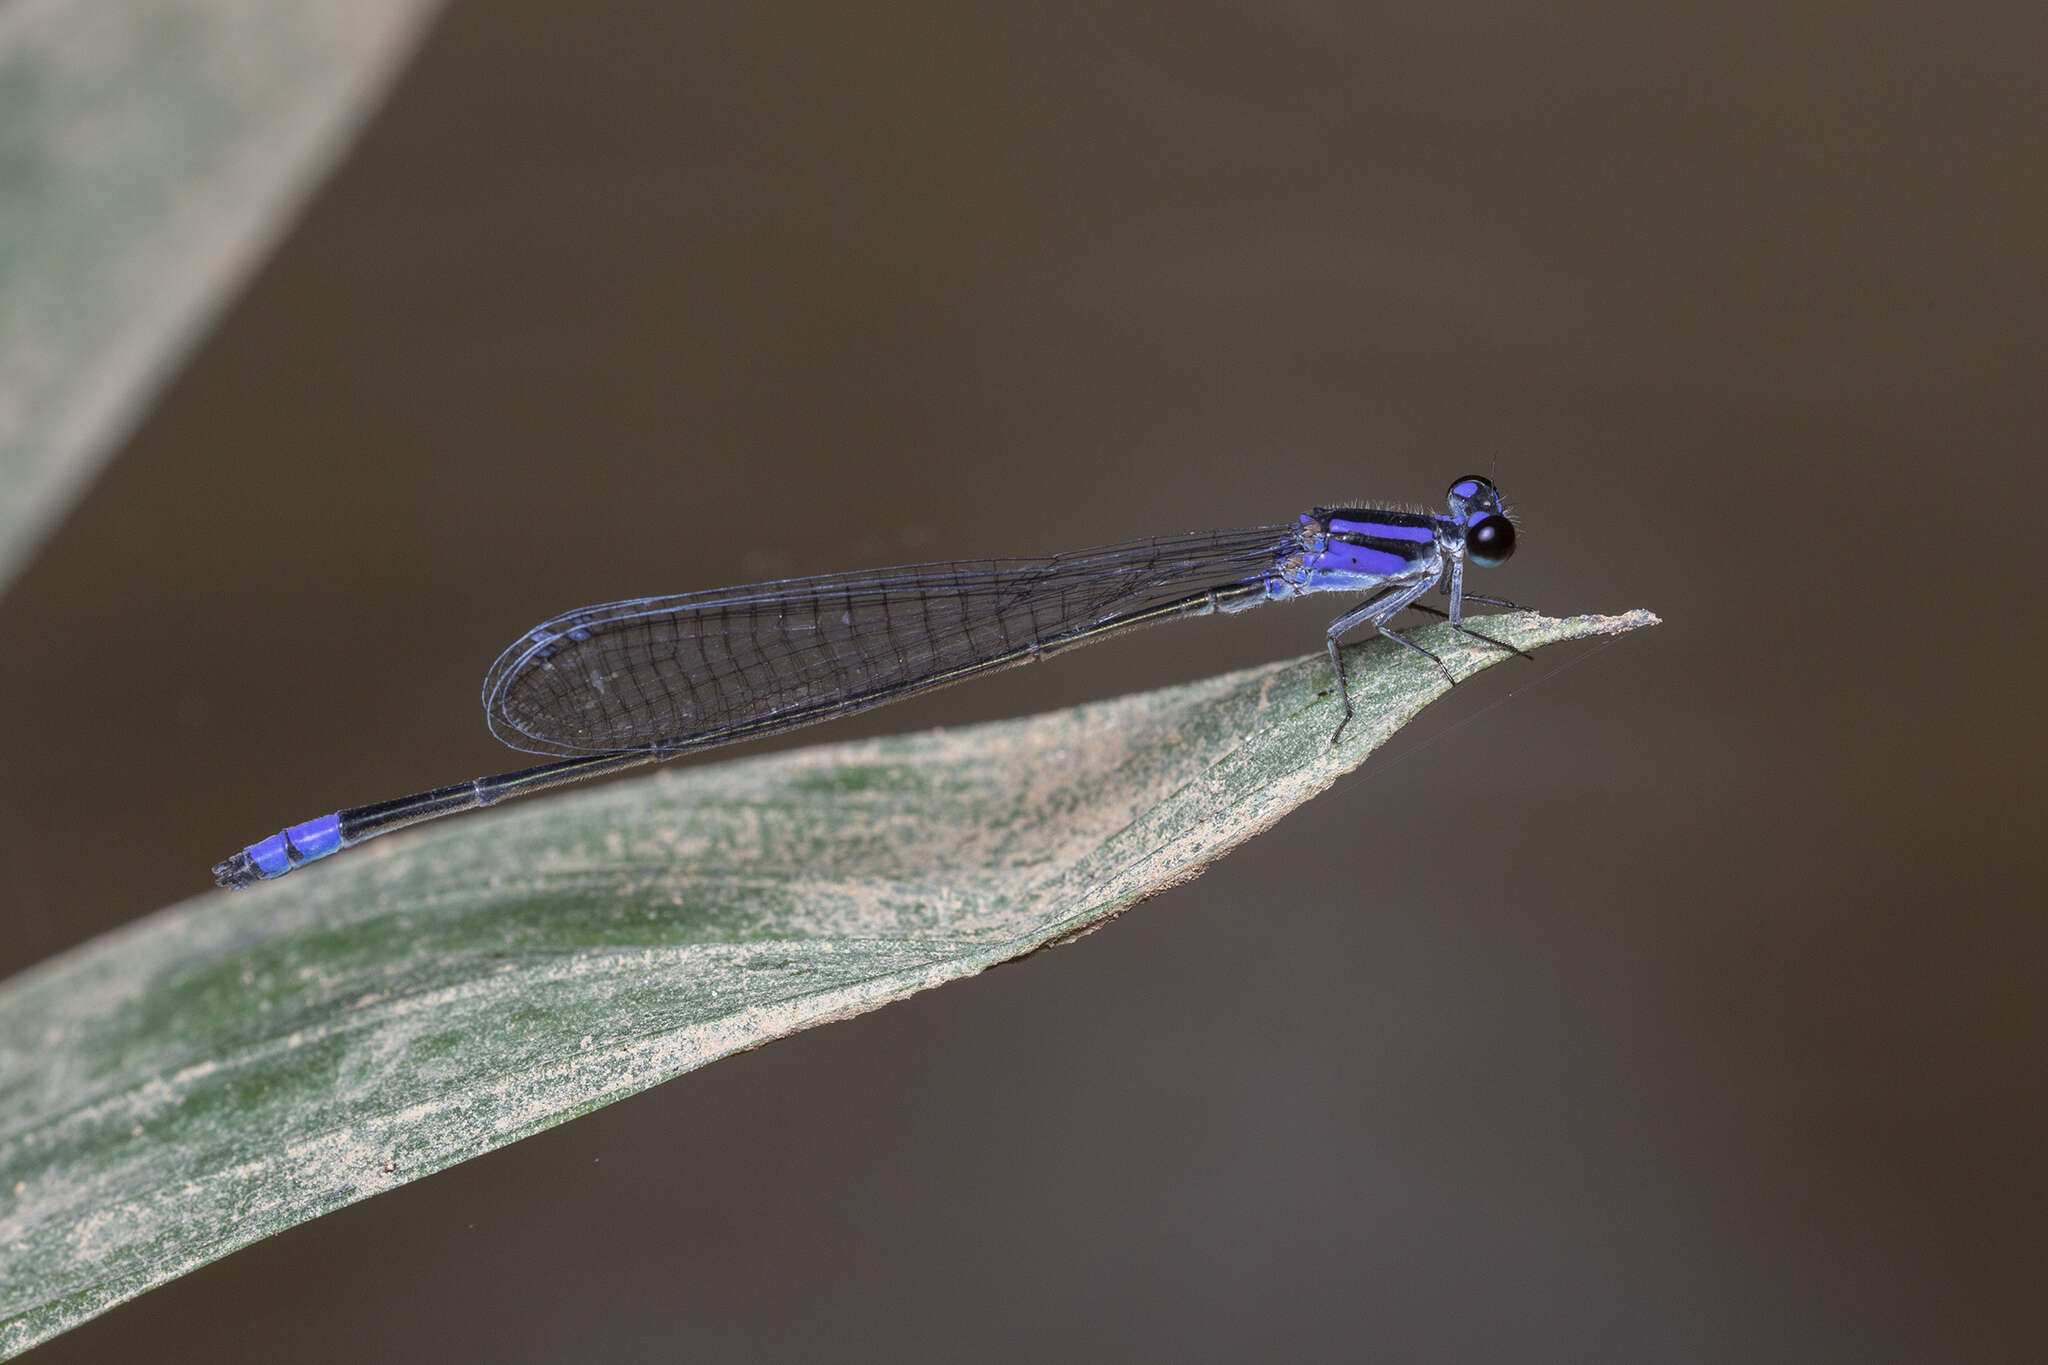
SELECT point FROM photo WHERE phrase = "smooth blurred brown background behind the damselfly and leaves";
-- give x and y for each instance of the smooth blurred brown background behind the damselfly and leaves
(1689, 1008)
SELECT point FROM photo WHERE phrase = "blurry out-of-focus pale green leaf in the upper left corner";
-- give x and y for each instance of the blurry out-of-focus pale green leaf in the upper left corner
(151, 152)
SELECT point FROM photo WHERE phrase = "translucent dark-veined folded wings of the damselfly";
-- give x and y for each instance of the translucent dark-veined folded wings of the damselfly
(742, 662)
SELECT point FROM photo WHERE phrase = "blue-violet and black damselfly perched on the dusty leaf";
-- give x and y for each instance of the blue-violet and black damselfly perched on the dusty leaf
(638, 682)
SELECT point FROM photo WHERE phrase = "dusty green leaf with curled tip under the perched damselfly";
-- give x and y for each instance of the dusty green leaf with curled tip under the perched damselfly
(243, 1063)
